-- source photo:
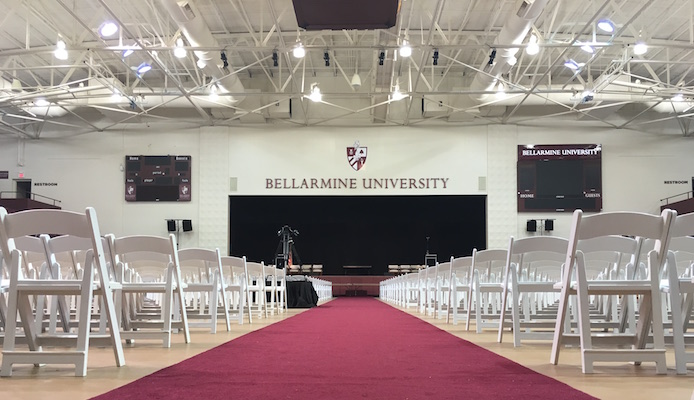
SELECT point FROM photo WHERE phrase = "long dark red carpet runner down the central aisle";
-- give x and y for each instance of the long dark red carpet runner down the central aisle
(349, 348)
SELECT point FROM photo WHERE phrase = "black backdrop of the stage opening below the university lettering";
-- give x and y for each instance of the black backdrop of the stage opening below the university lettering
(358, 230)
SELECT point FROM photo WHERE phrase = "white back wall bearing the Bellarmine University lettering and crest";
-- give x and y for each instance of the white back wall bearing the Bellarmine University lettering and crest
(87, 168)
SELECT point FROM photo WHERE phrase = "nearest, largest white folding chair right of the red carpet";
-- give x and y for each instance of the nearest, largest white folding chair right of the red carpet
(575, 282)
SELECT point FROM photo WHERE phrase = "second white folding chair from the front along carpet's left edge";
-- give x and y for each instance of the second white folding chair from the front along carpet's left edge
(149, 265)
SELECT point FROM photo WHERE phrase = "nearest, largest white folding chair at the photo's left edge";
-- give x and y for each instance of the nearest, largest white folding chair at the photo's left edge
(57, 222)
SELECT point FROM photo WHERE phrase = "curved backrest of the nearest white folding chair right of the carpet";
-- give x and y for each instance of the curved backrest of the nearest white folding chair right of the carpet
(627, 223)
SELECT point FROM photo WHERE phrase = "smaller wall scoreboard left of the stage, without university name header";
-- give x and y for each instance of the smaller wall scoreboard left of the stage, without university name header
(157, 178)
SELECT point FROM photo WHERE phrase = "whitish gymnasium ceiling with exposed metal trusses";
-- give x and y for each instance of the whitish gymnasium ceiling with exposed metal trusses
(613, 86)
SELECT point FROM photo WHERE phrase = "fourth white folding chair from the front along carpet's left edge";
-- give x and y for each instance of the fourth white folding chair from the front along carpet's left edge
(239, 296)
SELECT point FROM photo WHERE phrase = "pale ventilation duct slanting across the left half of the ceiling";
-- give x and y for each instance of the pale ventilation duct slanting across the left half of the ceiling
(198, 35)
